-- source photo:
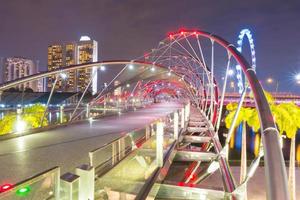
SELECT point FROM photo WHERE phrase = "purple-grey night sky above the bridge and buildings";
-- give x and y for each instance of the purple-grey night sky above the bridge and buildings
(125, 29)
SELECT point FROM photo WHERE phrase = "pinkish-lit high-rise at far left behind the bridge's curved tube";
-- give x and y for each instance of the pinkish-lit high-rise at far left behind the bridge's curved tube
(14, 68)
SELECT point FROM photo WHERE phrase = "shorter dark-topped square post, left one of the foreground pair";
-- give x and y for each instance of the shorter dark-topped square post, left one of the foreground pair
(69, 184)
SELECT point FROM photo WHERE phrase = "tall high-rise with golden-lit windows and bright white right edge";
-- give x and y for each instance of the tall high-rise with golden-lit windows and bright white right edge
(83, 51)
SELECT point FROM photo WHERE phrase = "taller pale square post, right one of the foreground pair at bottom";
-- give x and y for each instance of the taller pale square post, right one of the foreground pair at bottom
(86, 175)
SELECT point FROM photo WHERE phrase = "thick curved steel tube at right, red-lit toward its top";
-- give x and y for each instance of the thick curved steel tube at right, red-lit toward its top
(275, 172)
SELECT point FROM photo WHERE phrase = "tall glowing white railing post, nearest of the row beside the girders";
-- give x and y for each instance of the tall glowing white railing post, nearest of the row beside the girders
(159, 144)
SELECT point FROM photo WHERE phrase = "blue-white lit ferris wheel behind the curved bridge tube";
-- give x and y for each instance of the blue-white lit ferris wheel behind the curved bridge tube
(245, 33)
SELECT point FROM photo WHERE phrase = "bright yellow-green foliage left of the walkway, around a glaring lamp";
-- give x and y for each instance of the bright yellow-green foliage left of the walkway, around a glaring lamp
(31, 115)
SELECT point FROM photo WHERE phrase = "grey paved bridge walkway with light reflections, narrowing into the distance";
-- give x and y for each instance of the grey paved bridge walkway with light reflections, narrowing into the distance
(68, 147)
